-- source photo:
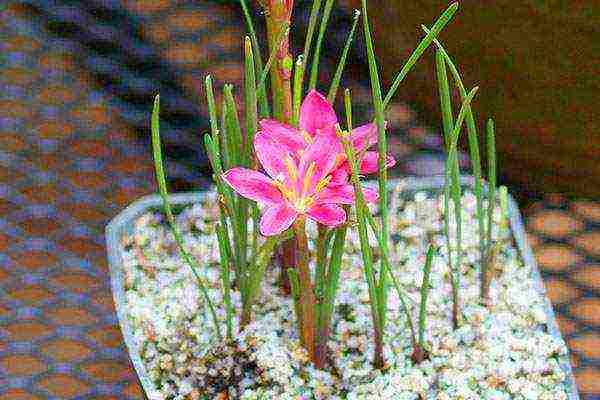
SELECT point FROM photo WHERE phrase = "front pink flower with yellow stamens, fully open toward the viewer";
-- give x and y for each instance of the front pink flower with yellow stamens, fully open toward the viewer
(294, 186)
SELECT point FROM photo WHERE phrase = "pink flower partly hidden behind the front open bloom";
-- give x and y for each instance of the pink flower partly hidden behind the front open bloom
(317, 118)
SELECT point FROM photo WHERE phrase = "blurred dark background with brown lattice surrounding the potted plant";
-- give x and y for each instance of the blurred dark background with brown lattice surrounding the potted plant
(77, 80)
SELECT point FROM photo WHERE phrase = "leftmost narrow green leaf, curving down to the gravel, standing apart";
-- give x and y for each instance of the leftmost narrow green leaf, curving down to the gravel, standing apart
(164, 194)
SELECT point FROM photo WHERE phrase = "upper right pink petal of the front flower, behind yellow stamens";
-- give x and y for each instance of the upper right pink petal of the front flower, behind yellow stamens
(323, 153)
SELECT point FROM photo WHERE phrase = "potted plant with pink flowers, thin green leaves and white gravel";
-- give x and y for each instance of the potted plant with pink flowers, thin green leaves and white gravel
(295, 279)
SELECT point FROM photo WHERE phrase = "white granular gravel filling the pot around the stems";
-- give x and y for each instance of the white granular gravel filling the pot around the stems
(501, 352)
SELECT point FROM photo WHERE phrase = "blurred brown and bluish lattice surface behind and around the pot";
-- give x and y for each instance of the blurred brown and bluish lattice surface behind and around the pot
(73, 153)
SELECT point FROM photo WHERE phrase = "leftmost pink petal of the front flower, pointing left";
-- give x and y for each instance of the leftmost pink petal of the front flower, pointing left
(253, 185)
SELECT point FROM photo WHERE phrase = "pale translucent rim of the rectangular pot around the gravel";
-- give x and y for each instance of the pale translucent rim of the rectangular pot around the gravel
(123, 223)
